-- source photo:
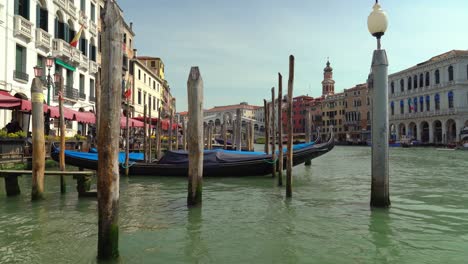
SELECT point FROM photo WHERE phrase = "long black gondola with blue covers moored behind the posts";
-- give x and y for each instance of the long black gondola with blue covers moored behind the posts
(216, 163)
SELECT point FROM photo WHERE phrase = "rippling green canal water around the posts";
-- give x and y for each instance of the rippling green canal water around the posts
(248, 220)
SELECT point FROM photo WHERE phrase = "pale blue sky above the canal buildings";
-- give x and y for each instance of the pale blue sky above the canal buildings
(240, 46)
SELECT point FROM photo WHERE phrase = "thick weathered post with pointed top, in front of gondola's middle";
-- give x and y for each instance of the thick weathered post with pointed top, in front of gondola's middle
(195, 137)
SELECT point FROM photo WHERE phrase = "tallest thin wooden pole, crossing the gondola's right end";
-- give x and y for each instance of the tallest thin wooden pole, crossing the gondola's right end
(290, 128)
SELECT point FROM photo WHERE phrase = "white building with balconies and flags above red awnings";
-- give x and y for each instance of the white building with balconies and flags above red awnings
(32, 30)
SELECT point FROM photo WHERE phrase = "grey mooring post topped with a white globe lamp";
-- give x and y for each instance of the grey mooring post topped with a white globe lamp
(378, 86)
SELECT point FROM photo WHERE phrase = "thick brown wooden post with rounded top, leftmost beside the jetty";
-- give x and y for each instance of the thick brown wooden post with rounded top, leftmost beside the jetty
(38, 140)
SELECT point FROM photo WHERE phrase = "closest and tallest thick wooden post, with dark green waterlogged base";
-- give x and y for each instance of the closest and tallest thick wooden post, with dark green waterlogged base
(109, 127)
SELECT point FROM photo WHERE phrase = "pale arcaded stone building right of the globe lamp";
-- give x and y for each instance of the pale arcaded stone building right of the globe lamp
(429, 101)
